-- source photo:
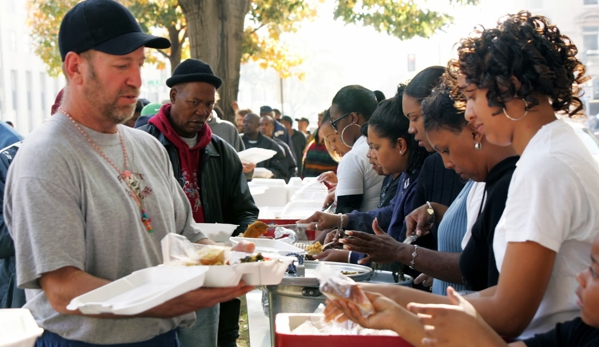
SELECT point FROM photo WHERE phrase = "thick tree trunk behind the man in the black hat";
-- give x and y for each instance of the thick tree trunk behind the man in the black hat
(215, 30)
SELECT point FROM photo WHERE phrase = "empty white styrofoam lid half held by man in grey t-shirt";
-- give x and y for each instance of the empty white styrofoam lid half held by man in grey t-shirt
(140, 291)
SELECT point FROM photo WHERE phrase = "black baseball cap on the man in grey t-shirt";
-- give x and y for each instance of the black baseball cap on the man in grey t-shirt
(106, 26)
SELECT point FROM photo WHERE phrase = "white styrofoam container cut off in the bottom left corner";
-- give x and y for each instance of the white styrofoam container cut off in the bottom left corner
(18, 328)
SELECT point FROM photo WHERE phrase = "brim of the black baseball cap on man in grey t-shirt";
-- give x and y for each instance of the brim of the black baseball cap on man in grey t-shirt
(127, 43)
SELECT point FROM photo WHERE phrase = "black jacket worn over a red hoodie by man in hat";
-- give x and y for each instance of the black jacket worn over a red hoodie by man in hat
(224, 191)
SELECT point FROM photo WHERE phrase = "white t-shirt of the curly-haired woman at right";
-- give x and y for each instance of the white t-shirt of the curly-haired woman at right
(553, 200)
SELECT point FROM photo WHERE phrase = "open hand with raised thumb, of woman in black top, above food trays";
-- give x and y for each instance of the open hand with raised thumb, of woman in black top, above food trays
(380, 248)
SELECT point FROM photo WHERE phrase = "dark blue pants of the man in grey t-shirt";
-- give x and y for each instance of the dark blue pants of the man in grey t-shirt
(50, 339)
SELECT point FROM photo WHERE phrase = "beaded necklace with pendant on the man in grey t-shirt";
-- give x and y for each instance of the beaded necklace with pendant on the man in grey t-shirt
(130, 180)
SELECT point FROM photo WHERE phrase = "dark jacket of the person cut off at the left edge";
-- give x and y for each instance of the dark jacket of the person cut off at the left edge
(10, 295)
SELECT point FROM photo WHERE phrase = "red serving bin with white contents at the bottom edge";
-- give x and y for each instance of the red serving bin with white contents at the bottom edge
(285, 339)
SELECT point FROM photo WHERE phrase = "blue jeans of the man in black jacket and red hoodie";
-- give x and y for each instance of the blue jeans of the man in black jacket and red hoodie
(204, 331)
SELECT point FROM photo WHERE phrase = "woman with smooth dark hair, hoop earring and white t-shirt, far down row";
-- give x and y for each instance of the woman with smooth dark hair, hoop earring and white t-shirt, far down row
(358, 186)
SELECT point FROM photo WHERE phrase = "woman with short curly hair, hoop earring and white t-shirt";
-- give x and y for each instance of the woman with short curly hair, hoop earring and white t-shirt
(516, 78)
